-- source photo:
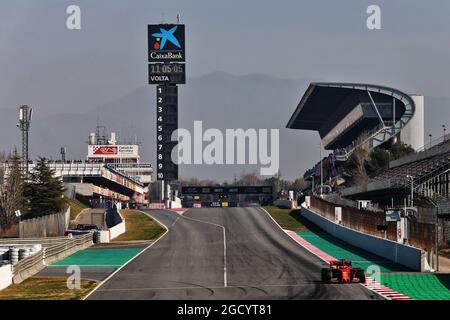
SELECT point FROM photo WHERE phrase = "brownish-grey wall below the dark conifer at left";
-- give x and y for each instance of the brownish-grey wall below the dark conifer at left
(47, 226)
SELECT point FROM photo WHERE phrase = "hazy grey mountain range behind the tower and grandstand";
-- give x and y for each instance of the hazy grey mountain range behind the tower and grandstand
(220, 100)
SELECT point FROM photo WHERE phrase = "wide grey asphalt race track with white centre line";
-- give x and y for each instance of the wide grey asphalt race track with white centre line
(256, 261)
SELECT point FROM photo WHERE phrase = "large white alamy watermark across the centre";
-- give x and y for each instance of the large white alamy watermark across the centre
(233, 146)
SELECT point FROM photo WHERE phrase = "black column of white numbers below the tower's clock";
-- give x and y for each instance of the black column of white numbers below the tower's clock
(166, 124)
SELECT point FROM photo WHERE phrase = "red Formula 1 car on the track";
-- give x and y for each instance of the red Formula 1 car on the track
(342, 271)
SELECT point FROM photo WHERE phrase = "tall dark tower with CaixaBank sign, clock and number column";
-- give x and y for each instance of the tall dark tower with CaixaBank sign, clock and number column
(166, 57)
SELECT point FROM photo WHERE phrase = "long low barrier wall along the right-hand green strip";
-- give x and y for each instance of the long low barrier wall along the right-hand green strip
(402, 254)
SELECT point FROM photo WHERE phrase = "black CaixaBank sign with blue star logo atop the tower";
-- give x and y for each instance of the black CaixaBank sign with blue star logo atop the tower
(166, 43)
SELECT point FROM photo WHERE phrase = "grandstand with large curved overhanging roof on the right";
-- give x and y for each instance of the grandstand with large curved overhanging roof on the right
(348, 115)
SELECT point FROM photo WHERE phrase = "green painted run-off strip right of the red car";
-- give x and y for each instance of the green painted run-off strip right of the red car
(419, 286)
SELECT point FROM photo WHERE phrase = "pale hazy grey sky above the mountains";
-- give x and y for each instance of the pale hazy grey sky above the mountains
(56, 70)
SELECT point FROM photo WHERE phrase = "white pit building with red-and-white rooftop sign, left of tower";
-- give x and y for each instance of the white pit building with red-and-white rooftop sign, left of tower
(111, 172)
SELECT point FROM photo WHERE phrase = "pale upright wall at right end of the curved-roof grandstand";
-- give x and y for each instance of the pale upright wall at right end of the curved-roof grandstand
(414, 132)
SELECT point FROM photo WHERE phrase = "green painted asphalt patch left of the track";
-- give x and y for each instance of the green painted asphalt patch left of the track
(99, 258)
